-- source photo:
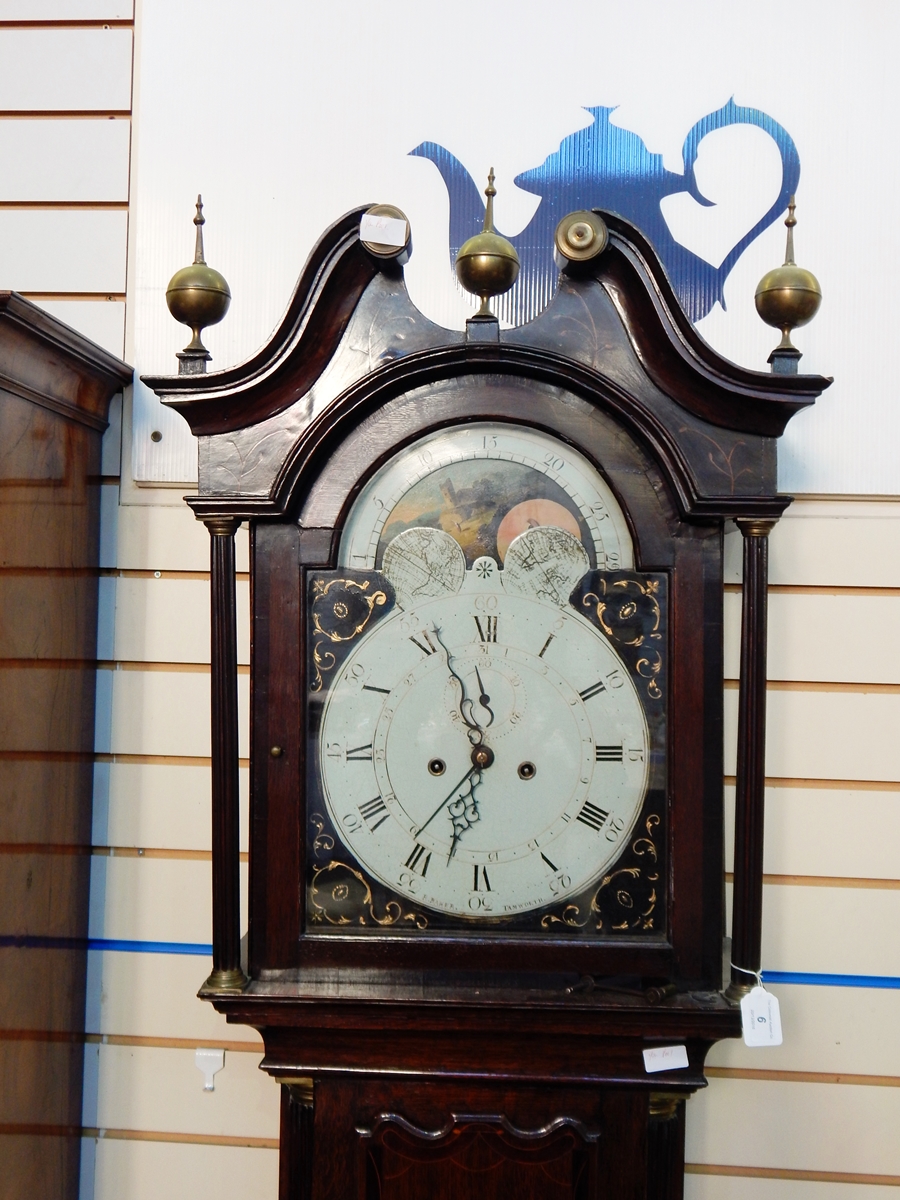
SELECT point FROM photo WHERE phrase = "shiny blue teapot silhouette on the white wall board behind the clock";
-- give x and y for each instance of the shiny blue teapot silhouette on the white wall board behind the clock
(607, 167)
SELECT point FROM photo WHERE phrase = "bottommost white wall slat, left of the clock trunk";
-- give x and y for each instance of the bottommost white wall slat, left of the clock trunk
(149, 1171)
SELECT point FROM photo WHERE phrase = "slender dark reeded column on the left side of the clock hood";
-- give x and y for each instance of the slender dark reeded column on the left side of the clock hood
(227, 975)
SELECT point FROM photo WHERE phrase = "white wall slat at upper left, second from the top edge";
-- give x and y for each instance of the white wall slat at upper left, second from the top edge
(65, 69)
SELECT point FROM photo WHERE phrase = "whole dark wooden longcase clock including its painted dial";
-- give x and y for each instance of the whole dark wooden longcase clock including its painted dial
(487, 752)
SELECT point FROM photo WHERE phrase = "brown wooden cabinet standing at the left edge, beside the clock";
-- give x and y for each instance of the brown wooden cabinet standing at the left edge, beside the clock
(56, 388)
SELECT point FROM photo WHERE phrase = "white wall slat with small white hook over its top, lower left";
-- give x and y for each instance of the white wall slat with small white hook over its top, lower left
(148, 1088)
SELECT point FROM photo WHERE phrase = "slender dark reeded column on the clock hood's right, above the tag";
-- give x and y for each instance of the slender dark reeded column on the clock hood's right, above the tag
(751, 793)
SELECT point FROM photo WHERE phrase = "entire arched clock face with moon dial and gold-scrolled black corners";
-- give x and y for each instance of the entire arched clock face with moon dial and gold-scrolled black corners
(488, 733)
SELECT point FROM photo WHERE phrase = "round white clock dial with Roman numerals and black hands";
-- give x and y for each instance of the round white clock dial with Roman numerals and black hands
(484, 753)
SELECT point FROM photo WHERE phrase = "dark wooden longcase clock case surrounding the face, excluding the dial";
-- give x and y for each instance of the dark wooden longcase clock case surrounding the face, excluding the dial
(463, 1067)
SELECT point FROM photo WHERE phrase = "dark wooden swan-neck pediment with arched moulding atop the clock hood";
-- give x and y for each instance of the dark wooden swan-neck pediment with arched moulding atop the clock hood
(614, 338)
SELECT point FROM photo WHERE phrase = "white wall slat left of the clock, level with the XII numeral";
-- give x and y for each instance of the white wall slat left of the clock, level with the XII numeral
(167, 620)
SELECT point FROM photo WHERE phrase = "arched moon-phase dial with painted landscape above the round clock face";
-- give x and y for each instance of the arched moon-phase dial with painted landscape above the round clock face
(483, 485)
